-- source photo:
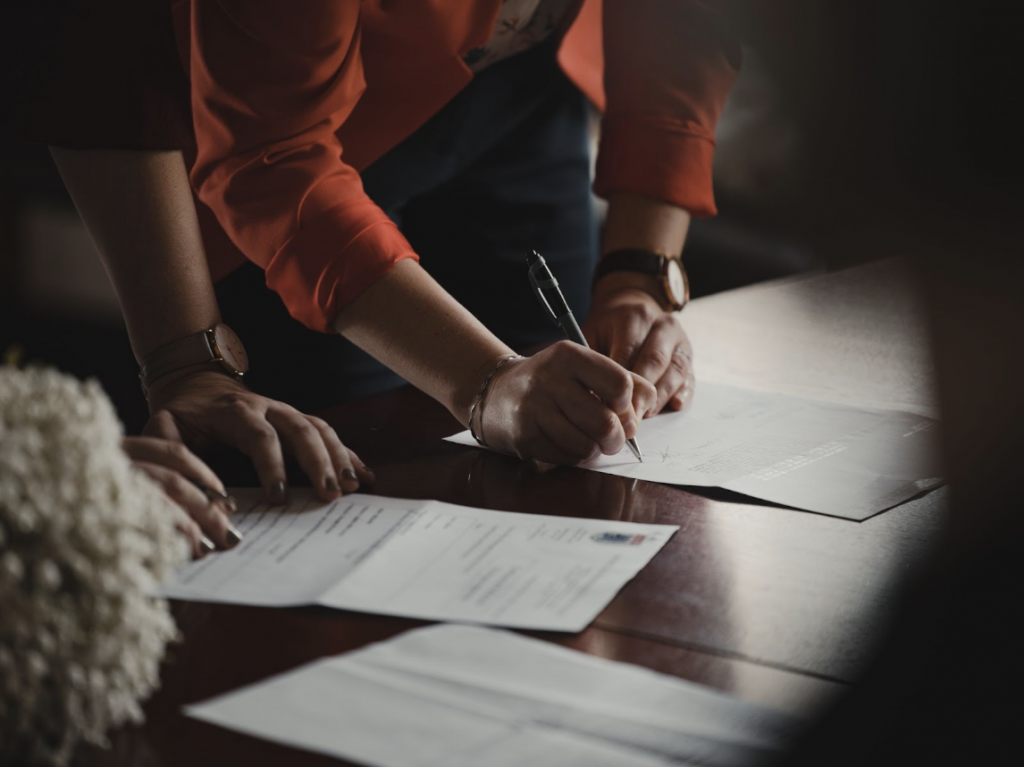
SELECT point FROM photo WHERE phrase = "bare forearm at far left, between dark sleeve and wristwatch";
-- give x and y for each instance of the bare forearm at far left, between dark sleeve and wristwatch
(139, 209)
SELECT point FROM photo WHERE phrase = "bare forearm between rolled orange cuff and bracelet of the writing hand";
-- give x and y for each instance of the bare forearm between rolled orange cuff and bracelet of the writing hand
(408, 322)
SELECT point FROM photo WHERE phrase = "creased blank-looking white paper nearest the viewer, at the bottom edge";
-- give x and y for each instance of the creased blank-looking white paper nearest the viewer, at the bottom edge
(470, 697)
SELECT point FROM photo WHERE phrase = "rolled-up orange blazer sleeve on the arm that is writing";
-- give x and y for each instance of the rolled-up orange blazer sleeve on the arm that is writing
(271, 87)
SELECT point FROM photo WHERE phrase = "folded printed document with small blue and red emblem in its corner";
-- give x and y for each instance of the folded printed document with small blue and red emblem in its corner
(423, 560)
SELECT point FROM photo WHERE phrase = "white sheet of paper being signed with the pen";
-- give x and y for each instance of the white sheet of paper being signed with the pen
(827, 458)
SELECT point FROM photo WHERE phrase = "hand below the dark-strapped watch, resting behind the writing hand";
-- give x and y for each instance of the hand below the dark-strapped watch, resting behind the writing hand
(628, 324)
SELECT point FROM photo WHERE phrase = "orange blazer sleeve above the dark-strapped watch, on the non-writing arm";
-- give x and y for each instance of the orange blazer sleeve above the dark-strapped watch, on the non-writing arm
(669, 67)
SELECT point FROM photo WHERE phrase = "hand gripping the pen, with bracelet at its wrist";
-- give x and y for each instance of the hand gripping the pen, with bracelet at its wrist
(567, 405)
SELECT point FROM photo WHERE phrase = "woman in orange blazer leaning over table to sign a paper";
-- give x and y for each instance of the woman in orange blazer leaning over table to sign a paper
(338, 144)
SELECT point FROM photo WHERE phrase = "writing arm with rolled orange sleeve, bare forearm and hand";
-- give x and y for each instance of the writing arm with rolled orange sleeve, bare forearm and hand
(271, 91)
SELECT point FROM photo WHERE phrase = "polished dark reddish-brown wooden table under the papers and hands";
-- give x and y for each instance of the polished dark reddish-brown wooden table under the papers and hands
(774, 606)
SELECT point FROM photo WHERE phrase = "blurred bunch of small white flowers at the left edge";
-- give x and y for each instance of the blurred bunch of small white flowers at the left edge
(86, 540)
